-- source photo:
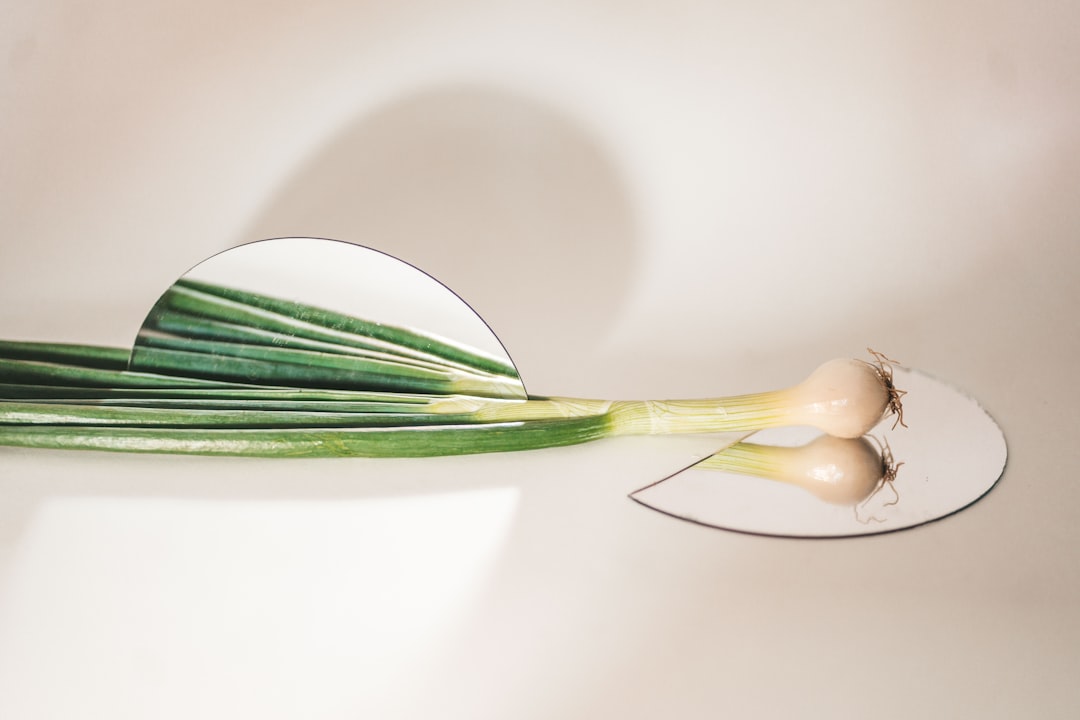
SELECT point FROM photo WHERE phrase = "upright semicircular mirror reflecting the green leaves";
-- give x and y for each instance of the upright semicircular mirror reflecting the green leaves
(321, 314)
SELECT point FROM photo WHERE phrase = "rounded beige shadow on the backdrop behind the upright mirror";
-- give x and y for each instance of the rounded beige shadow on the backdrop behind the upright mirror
(511, 205)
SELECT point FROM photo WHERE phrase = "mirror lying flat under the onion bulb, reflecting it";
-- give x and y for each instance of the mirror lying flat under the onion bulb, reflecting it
(795, 482)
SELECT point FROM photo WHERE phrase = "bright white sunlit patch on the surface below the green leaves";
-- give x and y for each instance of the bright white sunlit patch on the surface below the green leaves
(191, 606)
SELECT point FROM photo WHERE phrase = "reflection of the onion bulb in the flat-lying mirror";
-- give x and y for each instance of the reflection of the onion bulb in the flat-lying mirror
(840, 471)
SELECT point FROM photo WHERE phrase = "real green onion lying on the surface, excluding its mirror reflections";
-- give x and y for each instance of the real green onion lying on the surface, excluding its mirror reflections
(452, 425)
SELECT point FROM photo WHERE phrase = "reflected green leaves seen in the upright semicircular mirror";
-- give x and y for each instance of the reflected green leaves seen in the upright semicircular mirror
(204, 331)
